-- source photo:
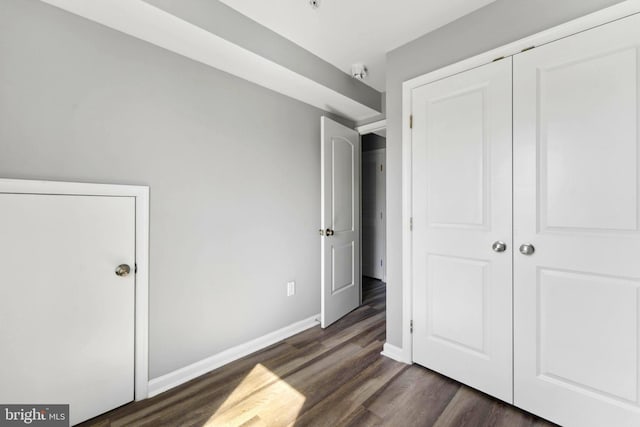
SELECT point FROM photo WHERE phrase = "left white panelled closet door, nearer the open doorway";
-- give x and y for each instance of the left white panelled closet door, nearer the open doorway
(462, 205)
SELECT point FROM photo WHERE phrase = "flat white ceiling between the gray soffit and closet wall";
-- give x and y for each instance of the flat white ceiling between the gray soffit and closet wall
(343, 32)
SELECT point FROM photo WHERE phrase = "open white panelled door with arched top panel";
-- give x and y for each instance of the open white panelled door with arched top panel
(340, 218)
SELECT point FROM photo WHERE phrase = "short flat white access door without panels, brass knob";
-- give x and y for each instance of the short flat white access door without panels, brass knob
(66, 318)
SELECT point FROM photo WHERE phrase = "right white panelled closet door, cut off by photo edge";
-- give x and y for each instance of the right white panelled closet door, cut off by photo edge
(576, 199)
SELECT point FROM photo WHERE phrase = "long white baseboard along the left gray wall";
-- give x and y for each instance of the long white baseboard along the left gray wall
(182, 375)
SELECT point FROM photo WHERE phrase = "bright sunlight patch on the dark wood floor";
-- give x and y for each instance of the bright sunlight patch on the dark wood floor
(276, 404)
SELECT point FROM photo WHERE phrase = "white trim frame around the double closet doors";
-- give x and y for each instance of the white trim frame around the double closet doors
(603, 16)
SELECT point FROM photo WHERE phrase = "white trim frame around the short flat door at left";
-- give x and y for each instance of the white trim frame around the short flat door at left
(141, 195)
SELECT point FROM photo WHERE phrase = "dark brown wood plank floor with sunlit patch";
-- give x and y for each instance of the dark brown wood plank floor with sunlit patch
(330, 377)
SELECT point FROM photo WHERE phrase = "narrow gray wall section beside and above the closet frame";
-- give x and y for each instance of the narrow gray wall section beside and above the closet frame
(497, 24)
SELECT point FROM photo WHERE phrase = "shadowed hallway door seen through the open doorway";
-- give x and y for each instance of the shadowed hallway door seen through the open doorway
(373, 213)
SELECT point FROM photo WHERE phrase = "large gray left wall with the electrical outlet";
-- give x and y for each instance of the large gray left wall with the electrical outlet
(234, 171)
